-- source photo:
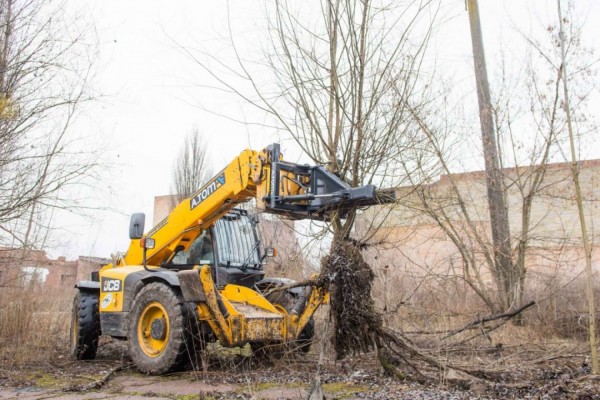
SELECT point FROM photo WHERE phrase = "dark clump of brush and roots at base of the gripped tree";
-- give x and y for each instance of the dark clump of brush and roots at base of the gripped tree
(358, 326)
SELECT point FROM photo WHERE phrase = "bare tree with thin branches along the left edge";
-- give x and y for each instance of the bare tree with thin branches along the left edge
(45, 70)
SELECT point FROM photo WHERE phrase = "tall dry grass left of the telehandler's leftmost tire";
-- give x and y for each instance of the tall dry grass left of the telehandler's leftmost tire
(34, 324)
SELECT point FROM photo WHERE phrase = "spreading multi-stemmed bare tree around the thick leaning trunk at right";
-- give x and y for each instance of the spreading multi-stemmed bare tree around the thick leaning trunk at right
(531, 134)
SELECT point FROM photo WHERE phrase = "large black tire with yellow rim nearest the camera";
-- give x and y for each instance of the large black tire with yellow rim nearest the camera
(157, 330)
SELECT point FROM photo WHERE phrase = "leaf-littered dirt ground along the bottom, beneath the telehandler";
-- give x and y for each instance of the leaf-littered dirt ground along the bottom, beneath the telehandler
(235, 375)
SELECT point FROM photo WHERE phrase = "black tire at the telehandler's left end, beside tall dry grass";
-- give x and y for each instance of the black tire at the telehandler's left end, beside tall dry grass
(85, 325)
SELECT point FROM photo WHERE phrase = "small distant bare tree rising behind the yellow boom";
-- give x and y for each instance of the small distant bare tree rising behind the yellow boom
(192, 167)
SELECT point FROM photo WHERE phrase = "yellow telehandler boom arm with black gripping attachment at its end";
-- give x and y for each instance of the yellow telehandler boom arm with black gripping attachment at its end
(293, 190)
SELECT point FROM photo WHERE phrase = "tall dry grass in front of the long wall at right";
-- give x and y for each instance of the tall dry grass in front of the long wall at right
(437, 304)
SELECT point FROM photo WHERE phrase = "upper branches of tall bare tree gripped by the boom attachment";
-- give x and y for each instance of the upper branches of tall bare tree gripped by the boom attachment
(339, 84)
